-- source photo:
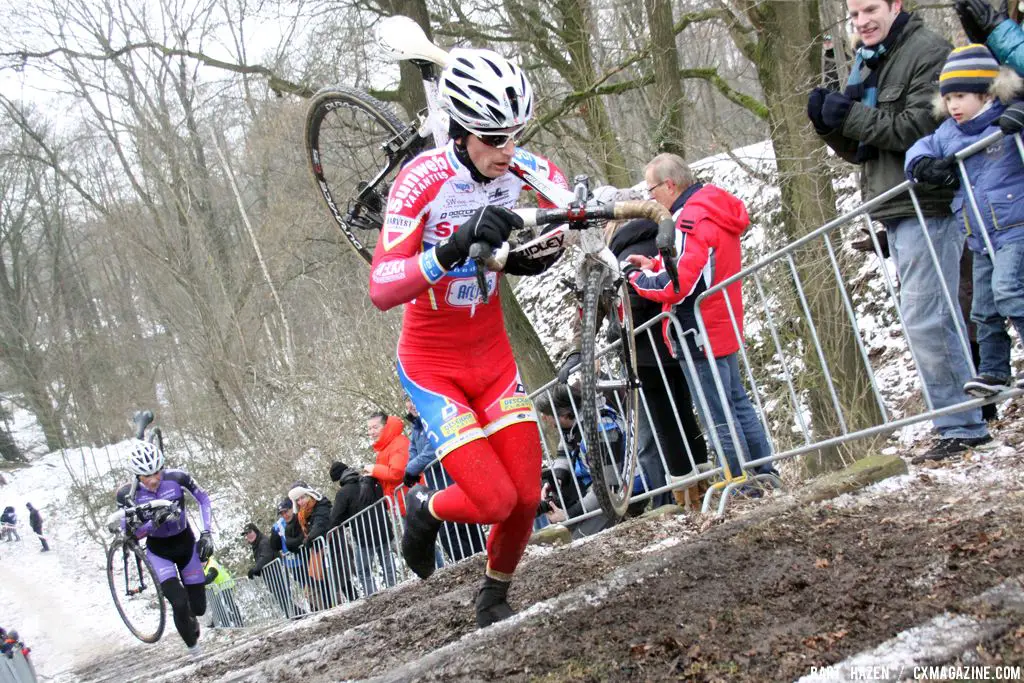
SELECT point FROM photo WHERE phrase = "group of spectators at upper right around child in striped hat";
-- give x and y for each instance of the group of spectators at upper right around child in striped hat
(884, 121)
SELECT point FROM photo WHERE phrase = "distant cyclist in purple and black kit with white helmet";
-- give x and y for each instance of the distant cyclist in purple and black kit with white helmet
(170, 547)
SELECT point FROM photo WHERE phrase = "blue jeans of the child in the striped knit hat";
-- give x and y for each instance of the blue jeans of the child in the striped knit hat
(999, 295)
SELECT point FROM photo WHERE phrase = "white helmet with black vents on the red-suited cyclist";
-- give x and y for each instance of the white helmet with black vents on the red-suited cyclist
(483, 92)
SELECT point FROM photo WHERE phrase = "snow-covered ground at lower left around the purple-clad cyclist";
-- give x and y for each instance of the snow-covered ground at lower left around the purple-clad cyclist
(60, 602)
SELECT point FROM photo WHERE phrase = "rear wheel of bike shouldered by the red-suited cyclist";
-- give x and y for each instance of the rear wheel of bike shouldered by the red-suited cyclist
(356, 147)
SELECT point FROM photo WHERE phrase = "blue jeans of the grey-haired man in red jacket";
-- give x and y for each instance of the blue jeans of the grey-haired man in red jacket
(751, 433)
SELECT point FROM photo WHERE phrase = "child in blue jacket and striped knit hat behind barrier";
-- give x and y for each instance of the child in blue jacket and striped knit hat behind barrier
(974, 93)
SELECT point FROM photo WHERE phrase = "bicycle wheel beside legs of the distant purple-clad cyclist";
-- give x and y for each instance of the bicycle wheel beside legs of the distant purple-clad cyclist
(136, 590)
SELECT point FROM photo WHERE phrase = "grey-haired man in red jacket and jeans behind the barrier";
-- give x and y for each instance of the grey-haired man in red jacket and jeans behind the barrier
(709, 223)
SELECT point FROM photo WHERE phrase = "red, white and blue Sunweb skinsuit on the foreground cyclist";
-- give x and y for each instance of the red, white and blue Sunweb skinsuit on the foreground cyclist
(454, 355)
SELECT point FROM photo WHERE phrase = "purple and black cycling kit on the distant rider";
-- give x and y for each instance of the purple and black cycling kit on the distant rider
(172, 546)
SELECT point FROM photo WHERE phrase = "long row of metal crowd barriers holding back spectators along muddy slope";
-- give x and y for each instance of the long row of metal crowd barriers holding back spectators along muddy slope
(803, 403)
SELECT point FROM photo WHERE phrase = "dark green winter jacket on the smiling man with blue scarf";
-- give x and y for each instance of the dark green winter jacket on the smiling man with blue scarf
(908, 80)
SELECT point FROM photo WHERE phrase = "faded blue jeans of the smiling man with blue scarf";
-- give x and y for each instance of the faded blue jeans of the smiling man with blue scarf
(932, 329)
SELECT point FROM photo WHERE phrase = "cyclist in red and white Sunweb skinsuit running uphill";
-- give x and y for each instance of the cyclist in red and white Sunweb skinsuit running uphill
(454, 355)
